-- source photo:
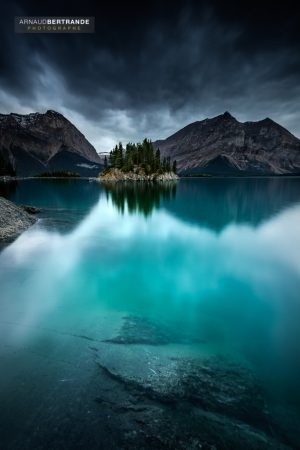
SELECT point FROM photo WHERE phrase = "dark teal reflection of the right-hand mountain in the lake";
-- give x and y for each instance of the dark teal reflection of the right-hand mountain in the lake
(217, 202)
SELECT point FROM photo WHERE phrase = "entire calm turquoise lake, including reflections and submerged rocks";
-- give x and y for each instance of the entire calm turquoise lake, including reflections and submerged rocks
(119, 294)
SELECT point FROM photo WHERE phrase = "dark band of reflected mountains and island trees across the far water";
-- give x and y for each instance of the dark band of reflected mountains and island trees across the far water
(213, 203)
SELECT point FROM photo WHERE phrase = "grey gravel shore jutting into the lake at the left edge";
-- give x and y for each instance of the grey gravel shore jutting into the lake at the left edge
(13, 220)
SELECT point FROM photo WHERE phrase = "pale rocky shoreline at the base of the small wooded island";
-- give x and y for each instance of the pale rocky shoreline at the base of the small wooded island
(118, 175)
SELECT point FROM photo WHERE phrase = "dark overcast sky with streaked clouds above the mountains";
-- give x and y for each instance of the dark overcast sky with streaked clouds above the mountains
(151, 69)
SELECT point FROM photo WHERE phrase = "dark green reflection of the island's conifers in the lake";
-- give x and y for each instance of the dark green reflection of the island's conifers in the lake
(140, 197)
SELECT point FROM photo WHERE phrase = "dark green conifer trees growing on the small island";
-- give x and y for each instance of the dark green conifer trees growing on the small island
(141, 155)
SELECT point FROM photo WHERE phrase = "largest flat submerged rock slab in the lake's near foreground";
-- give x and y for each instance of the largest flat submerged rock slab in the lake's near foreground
(207, 384)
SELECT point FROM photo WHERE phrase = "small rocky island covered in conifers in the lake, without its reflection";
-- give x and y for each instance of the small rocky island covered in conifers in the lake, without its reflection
(137, 162)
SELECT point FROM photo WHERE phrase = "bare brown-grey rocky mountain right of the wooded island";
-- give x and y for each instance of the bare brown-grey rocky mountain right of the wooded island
(223, 145)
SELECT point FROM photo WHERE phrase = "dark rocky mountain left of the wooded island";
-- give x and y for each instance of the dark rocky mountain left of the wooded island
(36, 143)
